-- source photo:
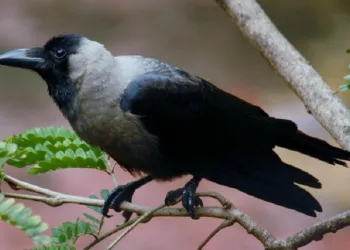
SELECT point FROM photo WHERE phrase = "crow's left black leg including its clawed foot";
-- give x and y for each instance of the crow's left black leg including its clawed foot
(123, 193)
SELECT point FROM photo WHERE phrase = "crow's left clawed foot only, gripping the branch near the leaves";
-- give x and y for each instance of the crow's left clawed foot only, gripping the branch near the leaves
(116, 198)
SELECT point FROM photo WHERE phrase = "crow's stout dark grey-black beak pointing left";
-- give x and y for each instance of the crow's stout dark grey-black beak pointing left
(23, 58)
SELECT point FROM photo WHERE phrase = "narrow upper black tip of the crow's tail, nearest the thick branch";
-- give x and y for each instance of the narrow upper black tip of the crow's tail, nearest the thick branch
(315, 147)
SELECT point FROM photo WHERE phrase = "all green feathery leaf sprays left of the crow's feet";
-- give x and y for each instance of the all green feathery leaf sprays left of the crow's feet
(46, 150)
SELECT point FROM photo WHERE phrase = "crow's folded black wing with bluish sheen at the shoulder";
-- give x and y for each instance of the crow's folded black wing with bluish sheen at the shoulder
(189, 115)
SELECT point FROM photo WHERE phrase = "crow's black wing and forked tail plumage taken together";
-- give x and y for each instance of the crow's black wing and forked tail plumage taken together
(203, 130)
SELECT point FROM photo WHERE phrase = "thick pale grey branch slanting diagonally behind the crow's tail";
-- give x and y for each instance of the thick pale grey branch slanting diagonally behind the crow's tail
(317, 96)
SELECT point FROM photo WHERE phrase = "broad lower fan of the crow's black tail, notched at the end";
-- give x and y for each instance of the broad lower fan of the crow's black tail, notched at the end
(266, 177)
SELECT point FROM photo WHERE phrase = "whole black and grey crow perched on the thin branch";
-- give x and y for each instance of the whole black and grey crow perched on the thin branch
(160, 122)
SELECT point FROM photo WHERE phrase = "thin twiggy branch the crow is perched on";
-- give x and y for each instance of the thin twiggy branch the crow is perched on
(228, 212)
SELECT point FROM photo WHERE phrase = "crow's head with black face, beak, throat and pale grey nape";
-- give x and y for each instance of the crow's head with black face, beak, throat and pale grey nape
(62, 62)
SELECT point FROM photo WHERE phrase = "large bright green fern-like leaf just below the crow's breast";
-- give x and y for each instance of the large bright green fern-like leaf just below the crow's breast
(51, 148)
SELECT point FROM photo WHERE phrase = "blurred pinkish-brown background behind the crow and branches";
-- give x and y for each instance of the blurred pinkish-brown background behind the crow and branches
(198, 36)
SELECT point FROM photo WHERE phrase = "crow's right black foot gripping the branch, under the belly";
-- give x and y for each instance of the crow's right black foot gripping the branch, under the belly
(190, 201)
